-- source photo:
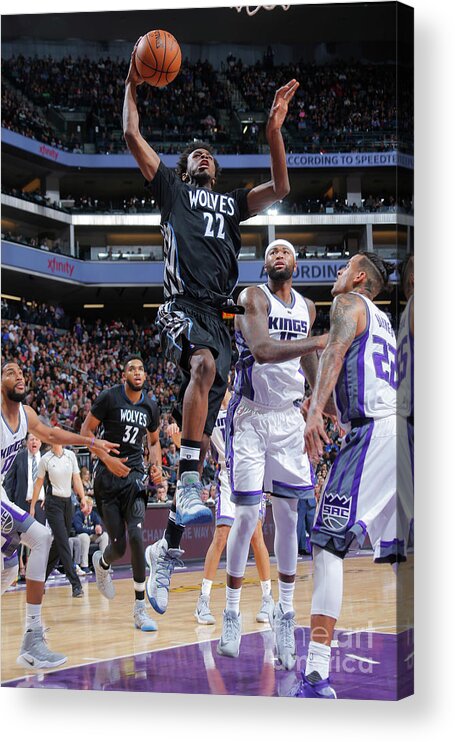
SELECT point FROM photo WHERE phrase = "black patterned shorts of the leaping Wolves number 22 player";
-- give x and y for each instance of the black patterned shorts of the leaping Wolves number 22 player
(185, 327)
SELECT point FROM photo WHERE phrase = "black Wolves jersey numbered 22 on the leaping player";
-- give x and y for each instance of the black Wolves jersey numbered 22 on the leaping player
(201, 237)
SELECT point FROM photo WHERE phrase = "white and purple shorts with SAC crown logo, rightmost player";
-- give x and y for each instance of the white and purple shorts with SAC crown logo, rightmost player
(360, 495)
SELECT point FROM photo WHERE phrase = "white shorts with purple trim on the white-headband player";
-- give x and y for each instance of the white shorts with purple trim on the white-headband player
(265, 452)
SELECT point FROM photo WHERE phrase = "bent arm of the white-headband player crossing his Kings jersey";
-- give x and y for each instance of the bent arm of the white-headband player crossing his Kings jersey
(254, 326)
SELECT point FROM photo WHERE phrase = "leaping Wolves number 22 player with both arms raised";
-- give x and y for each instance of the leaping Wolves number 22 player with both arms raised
(201, 246)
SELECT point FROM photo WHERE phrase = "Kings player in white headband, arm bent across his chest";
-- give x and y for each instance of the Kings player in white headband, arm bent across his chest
(264, 433)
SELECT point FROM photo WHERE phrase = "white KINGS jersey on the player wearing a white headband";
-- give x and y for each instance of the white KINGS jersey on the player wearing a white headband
(274, 385)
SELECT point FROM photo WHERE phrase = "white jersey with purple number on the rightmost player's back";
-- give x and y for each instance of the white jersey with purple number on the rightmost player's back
(368, 381)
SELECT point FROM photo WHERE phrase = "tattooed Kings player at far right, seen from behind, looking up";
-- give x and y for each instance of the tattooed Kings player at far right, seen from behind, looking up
(359, 496)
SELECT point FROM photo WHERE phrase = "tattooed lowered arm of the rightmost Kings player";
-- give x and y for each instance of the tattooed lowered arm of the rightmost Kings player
(346, 314)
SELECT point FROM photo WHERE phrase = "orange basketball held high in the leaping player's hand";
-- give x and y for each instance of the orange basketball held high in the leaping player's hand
(158, 58)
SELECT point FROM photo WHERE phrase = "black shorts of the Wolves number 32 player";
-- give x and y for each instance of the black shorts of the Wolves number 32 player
(126, 496)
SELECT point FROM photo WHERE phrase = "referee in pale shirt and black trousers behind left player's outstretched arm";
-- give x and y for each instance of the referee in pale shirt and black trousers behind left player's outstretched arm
(60, 464)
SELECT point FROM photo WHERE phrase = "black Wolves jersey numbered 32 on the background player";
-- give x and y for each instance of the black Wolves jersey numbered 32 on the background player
(126, 423)
